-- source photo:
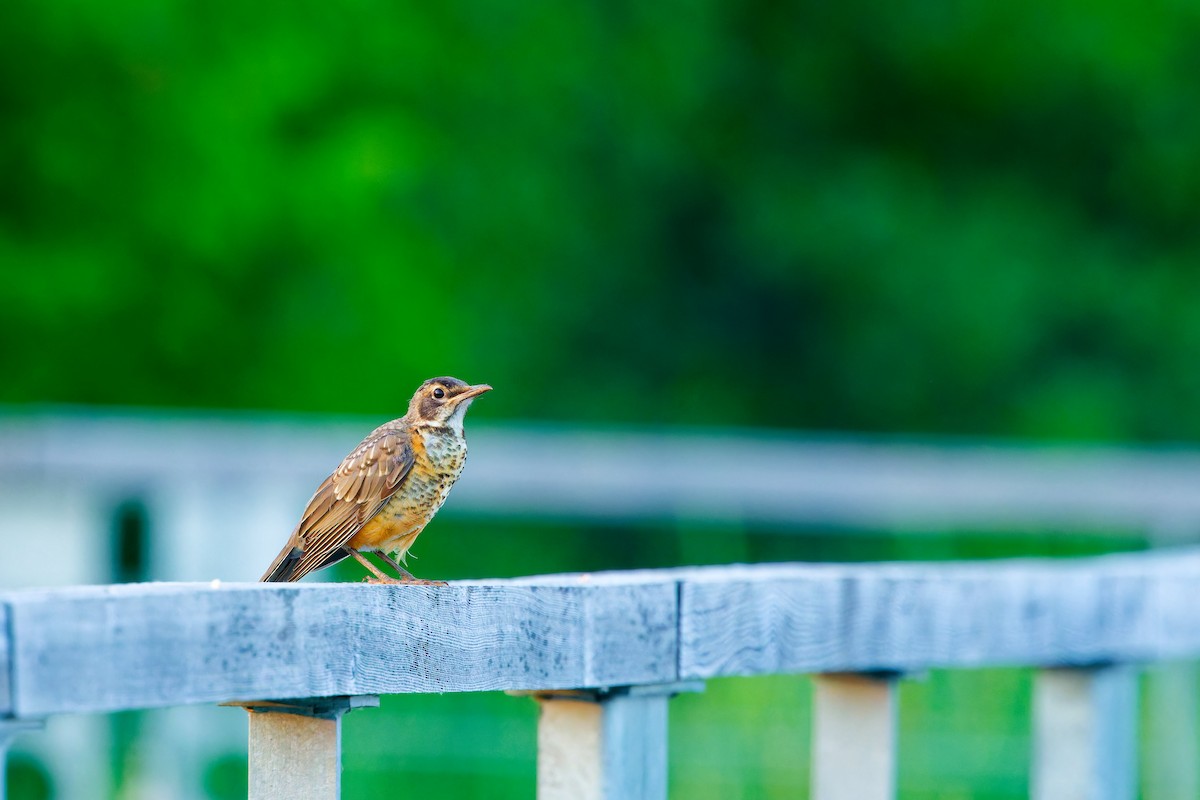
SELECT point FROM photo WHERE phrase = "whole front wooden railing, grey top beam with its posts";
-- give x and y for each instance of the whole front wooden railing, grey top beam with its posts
(604, 653)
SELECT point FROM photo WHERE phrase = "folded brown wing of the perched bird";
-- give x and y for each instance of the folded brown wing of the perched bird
(345, 503)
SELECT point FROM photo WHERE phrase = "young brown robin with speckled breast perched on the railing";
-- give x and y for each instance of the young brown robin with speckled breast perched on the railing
(387, 490)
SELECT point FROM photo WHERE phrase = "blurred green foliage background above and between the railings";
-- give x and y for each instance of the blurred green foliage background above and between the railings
(923, 219)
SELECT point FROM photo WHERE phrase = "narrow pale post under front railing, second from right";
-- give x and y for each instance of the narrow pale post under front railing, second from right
(855, 737)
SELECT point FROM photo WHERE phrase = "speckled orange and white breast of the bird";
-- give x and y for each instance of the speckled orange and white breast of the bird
(440, 456)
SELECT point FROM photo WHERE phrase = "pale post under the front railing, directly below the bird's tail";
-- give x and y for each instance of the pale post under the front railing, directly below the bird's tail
(296, 747)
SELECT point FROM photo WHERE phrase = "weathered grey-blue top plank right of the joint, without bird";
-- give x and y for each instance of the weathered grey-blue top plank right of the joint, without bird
(904, 617)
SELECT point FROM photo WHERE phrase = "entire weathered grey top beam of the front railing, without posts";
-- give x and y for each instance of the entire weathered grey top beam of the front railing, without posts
(109, 648)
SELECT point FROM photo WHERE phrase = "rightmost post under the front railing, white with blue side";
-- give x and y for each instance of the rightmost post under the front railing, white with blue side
(1085, 735)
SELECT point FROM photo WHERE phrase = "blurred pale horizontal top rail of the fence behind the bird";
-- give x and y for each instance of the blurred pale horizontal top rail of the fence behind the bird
(777, 478)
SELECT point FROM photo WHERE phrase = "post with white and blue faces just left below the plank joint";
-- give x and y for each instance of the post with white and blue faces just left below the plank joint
(605, 744)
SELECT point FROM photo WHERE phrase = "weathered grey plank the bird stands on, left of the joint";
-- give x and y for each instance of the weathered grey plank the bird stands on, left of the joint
(99, 649)
